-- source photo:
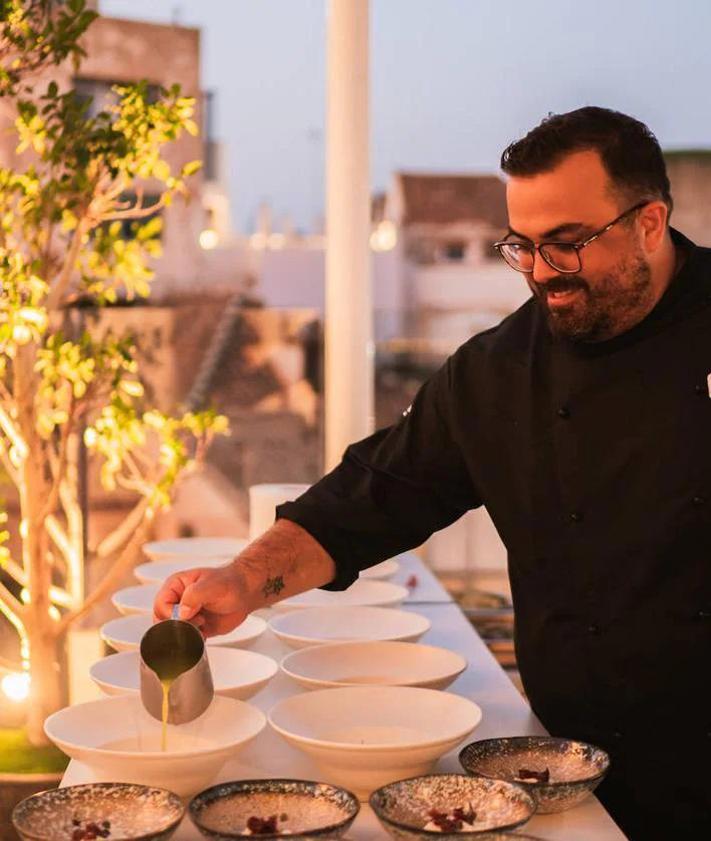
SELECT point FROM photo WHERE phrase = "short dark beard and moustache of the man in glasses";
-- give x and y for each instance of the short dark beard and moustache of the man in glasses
(603, 309)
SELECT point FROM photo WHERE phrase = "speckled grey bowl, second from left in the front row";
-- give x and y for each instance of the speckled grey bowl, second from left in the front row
(312, 810)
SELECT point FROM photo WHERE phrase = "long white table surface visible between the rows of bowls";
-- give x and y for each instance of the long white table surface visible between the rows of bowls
(505, 713)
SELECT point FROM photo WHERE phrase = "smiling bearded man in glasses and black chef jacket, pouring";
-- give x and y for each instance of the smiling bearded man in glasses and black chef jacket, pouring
(583, 423)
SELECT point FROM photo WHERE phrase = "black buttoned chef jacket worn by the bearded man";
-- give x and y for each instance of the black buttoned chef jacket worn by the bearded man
(594, 462)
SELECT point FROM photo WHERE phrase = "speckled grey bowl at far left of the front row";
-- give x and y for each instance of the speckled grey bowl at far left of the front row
(136, 812)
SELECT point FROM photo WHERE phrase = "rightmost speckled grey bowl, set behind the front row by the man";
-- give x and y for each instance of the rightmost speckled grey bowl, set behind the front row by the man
(575, 767)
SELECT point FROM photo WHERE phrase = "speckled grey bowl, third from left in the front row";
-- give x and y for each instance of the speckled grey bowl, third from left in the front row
(403, 807)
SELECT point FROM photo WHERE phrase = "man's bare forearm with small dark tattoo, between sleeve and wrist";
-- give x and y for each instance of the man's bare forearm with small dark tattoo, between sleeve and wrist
(284, 561)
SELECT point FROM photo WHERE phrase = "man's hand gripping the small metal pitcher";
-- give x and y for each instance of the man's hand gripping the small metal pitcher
(215, 600)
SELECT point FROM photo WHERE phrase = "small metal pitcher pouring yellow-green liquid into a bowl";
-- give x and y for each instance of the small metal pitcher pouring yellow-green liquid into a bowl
(175, 649)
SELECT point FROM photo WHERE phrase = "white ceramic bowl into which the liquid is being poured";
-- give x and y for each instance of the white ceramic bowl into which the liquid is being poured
(120, 741)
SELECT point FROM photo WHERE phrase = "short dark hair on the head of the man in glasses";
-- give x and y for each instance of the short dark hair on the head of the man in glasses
(629, 151)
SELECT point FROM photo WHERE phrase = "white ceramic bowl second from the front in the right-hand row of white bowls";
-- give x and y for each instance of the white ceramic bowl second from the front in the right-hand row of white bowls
(383, 663)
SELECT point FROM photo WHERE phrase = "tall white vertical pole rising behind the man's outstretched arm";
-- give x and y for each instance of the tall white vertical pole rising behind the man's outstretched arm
(348, 328)
